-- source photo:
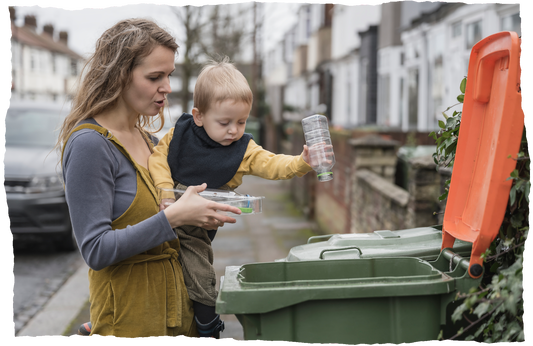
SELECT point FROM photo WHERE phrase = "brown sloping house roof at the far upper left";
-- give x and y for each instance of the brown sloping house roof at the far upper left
(27, 36)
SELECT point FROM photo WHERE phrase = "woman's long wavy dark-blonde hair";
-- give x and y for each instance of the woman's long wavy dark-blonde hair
(109, 71)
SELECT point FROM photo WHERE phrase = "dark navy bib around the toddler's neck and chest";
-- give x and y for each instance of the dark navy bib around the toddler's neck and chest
(194, 158)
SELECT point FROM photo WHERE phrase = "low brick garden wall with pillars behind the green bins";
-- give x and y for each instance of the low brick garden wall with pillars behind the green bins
(362, 196)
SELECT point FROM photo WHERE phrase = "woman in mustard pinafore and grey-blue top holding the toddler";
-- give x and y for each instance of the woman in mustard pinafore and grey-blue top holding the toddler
(135, 280)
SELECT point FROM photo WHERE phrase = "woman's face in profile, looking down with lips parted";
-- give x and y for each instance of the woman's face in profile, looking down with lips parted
(150, 83)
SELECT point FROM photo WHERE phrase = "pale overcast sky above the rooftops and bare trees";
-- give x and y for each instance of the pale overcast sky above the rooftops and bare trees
(85, 24)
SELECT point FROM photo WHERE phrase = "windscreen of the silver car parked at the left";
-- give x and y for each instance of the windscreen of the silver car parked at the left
(31, 127)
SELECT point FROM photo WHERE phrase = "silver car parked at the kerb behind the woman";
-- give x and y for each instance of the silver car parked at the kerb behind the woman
(32, 185)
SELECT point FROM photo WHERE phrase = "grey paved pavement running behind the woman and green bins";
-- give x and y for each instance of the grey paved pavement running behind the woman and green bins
(254, 238)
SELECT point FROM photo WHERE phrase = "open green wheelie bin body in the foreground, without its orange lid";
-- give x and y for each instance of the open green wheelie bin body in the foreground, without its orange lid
(393, 300)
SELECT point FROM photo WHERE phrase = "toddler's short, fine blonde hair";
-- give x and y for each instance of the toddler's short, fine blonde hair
(220, 81)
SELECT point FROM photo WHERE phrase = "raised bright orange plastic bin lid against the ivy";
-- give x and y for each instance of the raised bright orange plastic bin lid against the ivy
(492, 122)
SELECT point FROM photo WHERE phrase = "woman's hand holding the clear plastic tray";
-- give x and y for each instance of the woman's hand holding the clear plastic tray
(191, 209)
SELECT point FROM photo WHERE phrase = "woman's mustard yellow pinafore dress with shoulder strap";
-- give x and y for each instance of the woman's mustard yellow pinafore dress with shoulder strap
(144, 296)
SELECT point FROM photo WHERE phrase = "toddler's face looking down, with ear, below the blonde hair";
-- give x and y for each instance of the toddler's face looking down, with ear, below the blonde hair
(224, 122)
